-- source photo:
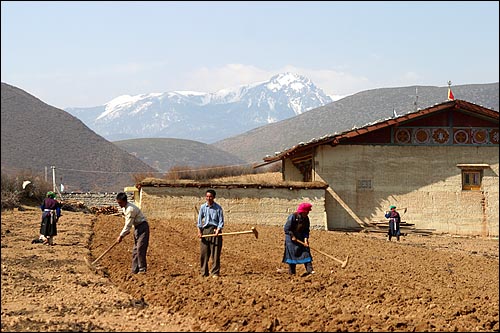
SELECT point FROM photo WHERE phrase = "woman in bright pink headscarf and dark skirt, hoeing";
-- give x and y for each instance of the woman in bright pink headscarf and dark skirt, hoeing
(297, 227)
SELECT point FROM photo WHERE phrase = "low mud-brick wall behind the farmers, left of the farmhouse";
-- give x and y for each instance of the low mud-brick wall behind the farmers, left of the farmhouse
(259, 206)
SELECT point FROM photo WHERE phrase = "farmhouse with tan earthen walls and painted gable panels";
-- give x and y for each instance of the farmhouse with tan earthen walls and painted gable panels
(439, 164)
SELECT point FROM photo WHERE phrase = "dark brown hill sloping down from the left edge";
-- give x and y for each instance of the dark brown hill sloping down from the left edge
(36, 135)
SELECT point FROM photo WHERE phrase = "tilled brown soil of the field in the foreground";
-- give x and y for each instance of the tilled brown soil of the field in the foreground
(422, 283)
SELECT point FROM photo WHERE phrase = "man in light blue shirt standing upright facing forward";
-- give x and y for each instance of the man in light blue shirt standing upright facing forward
(210, 221)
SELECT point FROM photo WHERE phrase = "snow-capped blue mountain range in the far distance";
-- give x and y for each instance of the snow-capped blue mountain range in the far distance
(204, 117)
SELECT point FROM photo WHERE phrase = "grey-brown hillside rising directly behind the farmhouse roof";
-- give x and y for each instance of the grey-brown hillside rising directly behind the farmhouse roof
(353, 111)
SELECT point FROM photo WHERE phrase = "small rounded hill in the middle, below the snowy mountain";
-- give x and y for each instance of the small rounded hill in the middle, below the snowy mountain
(165, 153)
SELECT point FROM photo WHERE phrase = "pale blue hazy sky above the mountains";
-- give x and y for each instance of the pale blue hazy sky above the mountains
(85, 53)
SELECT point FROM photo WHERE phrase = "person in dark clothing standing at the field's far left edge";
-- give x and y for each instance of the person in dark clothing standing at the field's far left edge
(51, 211)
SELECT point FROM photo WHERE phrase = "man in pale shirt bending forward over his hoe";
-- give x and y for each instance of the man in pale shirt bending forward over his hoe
(134, 217)
